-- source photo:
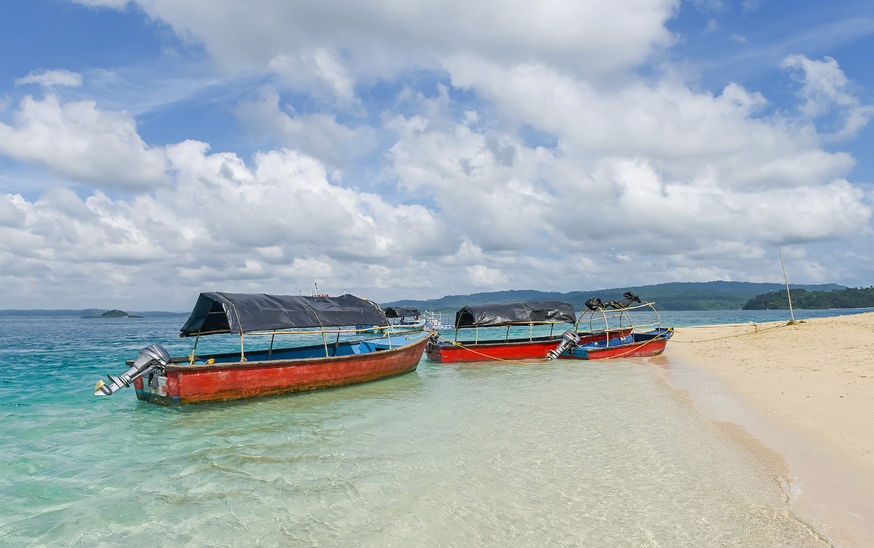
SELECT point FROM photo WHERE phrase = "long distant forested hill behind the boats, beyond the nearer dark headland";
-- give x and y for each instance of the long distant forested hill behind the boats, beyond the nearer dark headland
(717, 295)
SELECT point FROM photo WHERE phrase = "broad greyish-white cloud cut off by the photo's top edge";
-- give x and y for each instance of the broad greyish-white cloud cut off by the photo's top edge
(592, 36)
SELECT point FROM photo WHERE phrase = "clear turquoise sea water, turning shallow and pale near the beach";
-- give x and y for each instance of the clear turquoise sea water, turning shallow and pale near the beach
(552, 453)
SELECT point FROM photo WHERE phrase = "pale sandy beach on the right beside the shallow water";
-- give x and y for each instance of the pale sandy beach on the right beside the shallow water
(804, 391)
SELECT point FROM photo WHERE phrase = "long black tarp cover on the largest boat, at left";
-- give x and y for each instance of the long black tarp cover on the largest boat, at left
(245, 312)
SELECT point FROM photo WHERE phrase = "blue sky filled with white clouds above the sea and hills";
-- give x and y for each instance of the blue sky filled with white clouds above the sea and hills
(154, 149)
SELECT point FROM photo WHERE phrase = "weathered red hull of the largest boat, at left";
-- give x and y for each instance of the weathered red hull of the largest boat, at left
(186, 384)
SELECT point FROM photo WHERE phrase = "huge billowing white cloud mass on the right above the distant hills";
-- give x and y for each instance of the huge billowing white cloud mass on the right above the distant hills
(660, 172)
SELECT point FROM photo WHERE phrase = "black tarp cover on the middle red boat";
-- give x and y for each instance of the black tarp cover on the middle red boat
(523, 312)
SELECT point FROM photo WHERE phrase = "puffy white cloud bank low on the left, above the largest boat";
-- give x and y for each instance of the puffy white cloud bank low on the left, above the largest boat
(273, 226)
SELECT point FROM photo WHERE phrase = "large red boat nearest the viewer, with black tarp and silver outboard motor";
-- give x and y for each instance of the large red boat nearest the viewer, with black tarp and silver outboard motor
(160, 379)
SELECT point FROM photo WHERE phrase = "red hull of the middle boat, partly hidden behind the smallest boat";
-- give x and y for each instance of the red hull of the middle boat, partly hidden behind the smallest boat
(448, 352)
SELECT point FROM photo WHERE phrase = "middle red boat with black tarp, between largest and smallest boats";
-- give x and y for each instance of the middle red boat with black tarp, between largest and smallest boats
(524, 314)
